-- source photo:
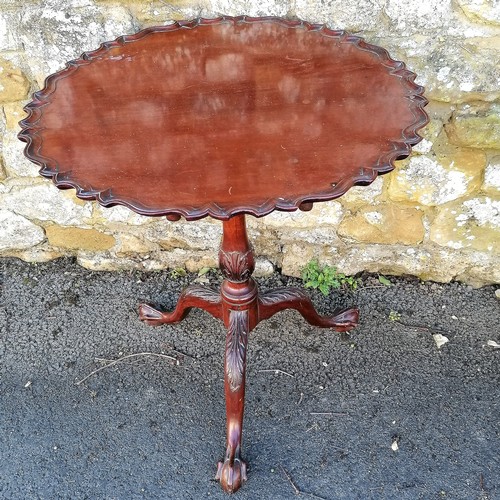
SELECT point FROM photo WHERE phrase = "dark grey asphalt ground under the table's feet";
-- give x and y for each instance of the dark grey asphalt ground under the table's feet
(381, 413)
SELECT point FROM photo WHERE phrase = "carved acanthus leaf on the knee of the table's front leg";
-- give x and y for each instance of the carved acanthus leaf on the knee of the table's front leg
(236, 345)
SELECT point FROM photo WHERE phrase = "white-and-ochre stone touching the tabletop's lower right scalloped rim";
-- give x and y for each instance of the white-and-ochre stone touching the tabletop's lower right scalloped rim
(433, 181)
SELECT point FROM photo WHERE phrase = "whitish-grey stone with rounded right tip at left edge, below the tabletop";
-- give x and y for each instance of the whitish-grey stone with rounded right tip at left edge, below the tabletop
(16, 232)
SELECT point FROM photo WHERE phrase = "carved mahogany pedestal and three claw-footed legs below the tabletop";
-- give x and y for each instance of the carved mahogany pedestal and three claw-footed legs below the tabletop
(241, 307)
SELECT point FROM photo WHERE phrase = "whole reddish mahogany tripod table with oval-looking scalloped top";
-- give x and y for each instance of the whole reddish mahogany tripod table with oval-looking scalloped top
(222, 118)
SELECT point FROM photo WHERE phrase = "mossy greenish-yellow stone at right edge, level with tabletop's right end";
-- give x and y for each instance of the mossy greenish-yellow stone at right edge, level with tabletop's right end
(475, 126)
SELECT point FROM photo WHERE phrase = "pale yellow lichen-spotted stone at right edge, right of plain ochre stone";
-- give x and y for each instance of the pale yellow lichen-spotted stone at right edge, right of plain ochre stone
(473, 223)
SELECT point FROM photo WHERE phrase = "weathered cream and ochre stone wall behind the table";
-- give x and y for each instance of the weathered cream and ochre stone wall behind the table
(436, 216)
